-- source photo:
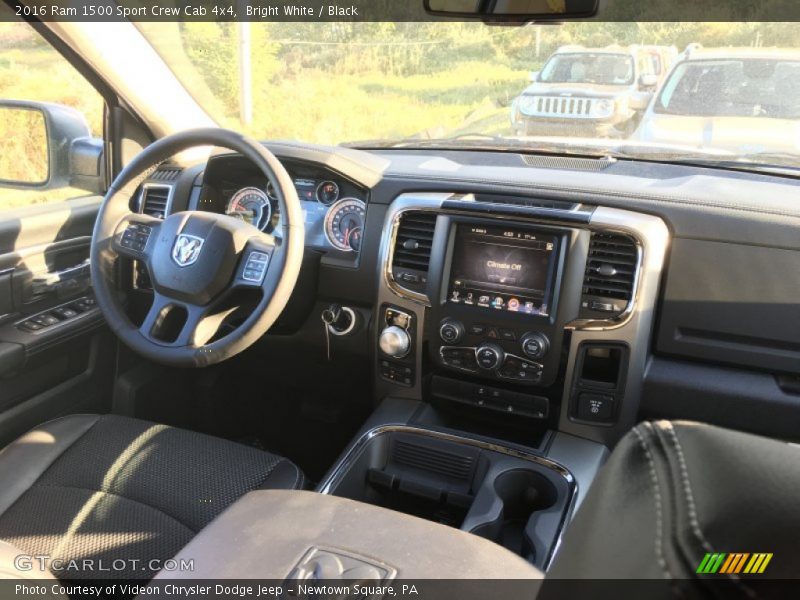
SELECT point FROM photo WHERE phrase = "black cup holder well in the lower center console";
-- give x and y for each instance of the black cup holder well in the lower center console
(522, 493)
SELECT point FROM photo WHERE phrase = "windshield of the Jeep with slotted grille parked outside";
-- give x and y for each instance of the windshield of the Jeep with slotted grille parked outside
(603, 69)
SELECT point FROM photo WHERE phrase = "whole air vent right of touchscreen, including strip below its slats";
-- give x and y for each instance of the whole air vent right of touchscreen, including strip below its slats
(610, 275)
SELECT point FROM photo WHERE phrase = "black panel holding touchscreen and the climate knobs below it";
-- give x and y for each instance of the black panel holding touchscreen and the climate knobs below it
(496, 314)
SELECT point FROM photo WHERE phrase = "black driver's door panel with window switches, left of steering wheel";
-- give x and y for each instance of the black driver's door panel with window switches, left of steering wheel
(67, 366)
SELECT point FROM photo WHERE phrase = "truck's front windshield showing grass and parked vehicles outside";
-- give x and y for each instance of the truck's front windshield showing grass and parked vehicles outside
(479, 86)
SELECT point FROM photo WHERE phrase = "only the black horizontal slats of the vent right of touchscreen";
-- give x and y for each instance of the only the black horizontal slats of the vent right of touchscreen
(611, 266)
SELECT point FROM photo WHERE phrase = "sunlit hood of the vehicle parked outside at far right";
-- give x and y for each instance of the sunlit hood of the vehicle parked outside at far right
(741, 135)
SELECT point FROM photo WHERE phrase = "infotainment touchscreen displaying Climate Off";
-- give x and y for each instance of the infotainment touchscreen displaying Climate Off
(503, 269)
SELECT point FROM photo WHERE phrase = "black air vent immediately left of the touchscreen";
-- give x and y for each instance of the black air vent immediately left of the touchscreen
(412, 249)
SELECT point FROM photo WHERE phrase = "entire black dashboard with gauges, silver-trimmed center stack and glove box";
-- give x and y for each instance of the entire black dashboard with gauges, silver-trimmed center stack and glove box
(565, 293)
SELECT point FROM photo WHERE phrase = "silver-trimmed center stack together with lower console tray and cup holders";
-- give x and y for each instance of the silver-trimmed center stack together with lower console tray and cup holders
(514, 331)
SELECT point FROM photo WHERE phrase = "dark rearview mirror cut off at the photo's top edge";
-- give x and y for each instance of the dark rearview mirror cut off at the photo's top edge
(513, 10)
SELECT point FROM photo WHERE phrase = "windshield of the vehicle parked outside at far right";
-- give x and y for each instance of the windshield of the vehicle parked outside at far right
(734, 88)
